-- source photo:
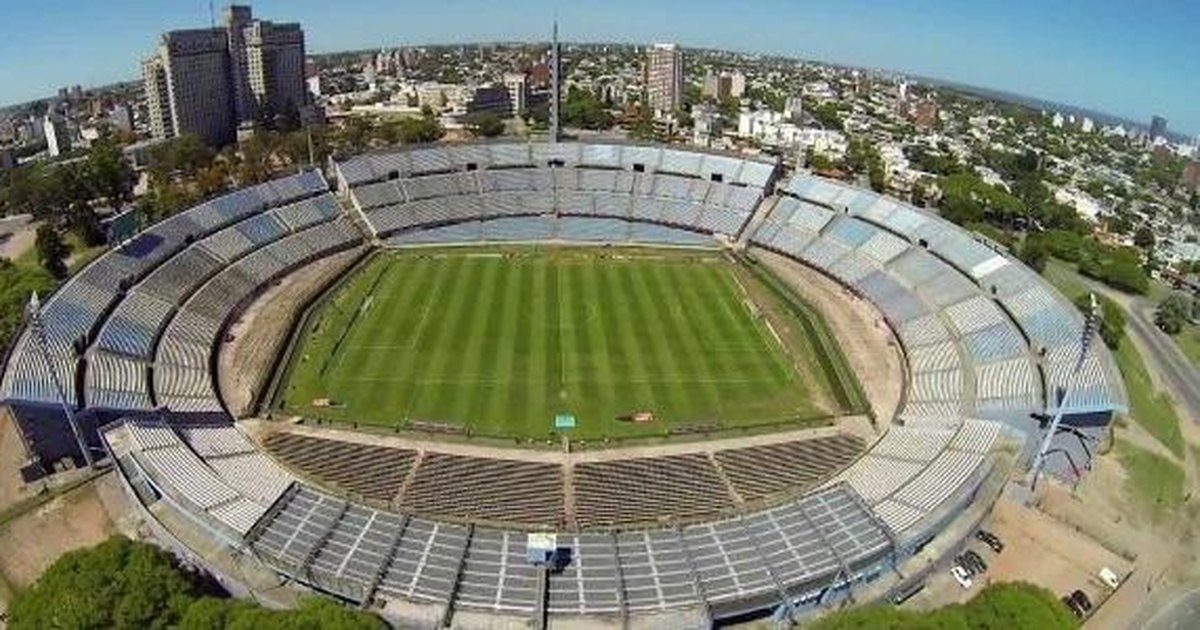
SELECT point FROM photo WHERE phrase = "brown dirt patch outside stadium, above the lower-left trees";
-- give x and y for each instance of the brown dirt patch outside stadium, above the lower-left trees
(32, 543)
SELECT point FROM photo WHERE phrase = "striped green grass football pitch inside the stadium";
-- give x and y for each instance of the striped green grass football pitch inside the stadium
(499, 344)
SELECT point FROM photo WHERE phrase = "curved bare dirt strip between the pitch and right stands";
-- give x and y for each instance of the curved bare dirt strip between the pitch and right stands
(866, 340)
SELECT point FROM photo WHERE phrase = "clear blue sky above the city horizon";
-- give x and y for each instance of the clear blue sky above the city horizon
(1123, 57)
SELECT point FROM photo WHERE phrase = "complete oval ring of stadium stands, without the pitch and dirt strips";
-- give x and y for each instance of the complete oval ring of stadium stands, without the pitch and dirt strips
(987, 343)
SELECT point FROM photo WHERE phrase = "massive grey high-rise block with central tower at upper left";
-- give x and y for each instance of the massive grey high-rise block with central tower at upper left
(211, 81)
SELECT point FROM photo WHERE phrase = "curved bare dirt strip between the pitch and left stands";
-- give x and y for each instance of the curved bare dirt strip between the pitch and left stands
(245, 363)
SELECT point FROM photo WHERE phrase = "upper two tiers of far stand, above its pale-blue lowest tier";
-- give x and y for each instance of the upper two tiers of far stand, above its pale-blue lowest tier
(709, 194)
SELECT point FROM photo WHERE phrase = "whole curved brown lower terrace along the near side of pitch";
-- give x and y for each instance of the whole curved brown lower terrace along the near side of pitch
(617, 493)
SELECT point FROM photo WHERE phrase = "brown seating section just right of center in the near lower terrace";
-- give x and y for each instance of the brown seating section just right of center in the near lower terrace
(644, 490)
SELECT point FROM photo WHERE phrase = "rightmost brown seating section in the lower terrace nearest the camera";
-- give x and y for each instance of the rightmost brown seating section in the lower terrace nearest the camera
(759, 472)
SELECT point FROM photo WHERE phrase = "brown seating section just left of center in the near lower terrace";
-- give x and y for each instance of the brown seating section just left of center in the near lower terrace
(487, 489)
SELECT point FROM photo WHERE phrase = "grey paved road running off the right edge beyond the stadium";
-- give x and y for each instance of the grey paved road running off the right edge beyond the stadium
(1163, 357)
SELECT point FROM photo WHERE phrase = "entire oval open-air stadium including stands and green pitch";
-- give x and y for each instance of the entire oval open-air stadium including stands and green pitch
(573, 383)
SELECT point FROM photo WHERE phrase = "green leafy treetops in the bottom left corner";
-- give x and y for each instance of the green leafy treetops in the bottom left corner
(127, 585)
